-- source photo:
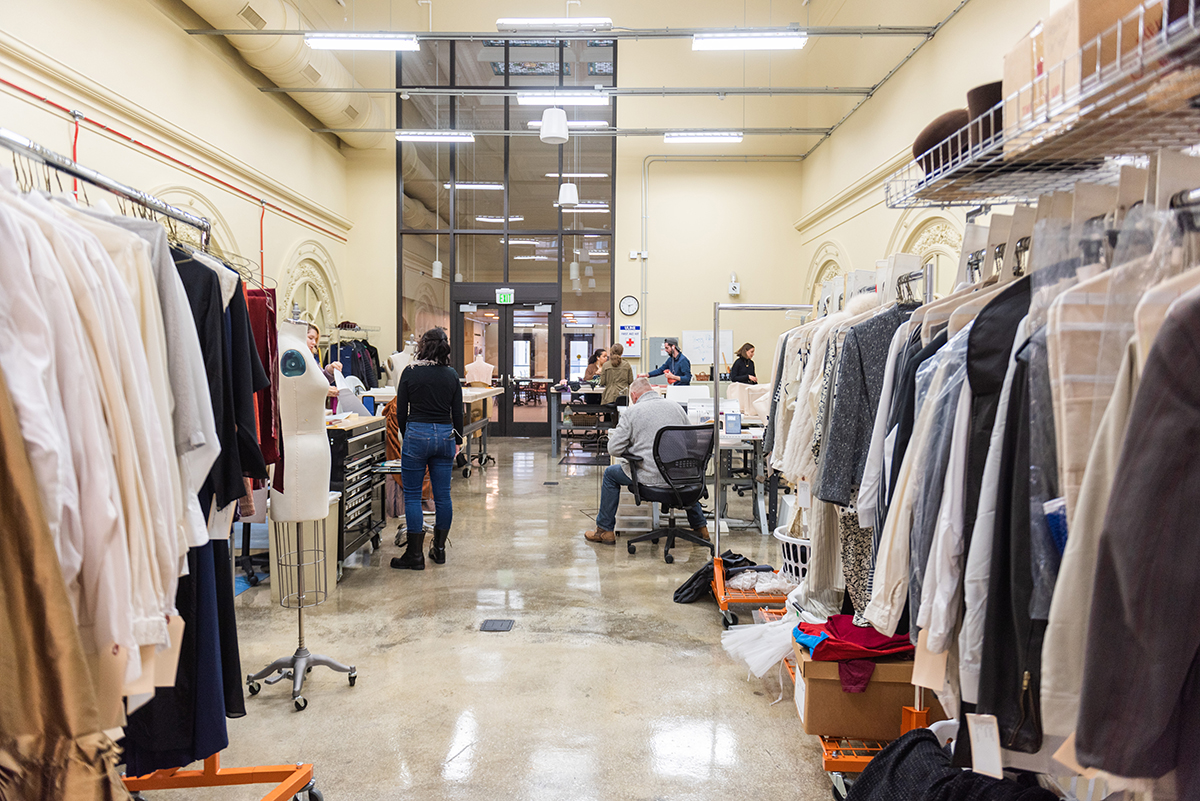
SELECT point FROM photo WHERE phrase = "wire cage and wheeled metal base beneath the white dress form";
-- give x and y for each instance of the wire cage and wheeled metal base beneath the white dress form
(298, 666)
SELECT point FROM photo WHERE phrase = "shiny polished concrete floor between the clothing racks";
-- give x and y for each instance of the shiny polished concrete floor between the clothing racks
(604, 690)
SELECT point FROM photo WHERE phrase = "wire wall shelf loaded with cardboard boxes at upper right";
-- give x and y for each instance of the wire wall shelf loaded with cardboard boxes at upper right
(1125, 95)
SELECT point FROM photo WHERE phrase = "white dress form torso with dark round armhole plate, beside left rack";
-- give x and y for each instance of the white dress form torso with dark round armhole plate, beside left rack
(303, 390)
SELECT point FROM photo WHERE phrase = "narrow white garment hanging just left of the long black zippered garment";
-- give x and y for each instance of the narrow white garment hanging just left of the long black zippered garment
(980, 545)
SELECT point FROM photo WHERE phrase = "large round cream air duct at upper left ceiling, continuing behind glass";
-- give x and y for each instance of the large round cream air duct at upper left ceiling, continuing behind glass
(289, 62)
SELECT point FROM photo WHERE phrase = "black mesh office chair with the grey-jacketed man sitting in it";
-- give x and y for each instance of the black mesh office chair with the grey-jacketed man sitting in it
(682, 455)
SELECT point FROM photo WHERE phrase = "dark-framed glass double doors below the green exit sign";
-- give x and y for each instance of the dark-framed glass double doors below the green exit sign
(512, 347)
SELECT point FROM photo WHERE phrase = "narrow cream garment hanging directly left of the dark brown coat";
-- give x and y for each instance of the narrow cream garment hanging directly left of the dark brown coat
(1064, 648)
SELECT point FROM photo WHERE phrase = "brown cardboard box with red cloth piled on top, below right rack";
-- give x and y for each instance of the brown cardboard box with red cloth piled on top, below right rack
(871, 715)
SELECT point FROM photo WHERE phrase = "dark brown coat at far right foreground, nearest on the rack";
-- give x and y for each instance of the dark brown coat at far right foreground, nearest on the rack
(1141, 710)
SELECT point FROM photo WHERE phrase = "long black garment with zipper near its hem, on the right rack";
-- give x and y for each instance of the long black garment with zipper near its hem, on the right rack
(1012, 642)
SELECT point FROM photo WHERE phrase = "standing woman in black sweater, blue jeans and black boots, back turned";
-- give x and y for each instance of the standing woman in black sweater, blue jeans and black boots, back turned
(429, 413)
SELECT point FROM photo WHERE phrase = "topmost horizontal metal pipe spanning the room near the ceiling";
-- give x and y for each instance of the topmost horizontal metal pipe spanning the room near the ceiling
(854, 32)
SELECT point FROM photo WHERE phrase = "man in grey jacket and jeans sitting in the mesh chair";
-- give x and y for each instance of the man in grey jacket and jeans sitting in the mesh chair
(647, 414)
